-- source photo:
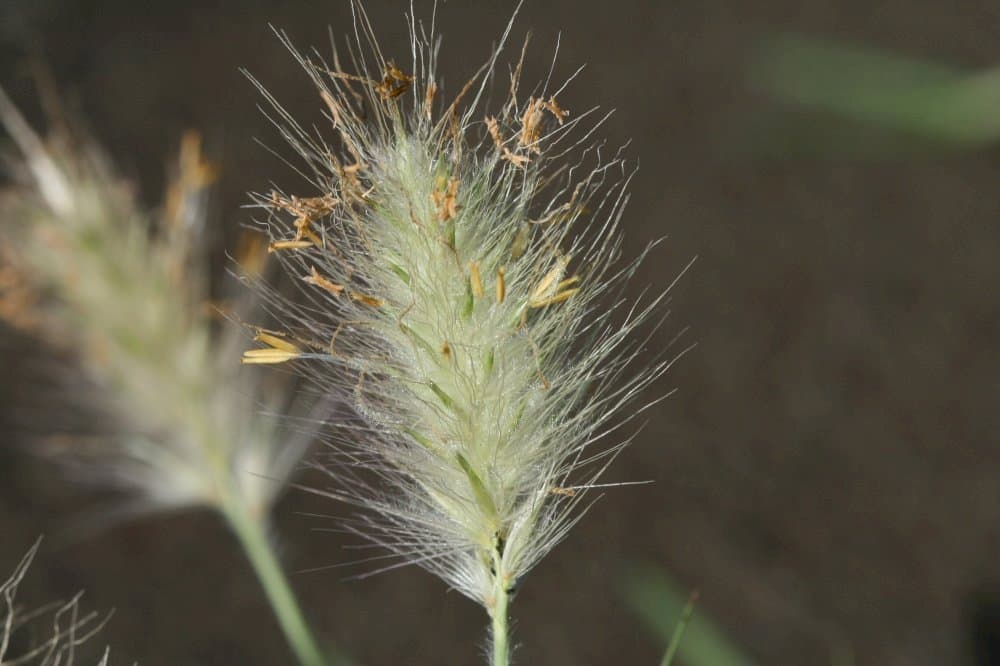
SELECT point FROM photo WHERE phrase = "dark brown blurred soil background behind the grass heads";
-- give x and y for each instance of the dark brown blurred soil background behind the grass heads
(828, 473)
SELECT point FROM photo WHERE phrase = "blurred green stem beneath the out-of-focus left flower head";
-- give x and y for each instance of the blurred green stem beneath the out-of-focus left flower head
(251, 532)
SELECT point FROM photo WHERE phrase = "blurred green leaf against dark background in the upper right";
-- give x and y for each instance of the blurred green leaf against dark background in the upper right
(883, 89)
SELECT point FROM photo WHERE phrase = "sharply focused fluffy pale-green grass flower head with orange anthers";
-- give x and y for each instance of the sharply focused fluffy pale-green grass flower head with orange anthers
(461, 284)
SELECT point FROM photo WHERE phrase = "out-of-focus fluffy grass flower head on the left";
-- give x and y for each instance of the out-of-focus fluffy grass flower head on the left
(125, 291)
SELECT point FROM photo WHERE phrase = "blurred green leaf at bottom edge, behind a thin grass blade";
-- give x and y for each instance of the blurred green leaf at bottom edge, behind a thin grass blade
(667, 611)
